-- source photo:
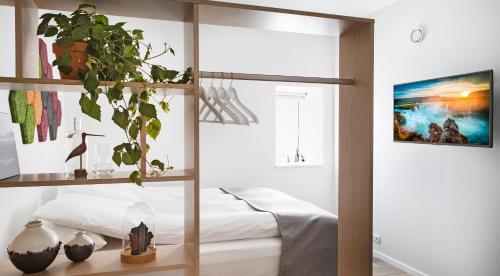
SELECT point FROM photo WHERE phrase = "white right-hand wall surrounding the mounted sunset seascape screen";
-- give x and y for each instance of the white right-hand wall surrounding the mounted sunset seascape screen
(436, 207)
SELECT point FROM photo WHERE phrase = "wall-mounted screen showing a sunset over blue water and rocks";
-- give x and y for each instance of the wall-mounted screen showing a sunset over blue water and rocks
(451, 110)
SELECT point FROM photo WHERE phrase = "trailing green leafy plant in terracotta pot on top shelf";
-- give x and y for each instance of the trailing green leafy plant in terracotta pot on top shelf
(94, 50)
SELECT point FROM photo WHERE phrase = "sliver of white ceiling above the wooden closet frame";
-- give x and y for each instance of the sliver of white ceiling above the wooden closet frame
(361, 8)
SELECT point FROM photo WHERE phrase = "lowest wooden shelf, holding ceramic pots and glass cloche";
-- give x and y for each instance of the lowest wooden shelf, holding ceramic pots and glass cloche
(168, 257)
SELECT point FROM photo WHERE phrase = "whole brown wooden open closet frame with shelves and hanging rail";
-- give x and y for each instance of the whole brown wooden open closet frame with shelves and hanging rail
(356, 37)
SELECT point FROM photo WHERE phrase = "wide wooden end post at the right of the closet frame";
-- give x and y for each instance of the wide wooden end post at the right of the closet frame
(356, 151)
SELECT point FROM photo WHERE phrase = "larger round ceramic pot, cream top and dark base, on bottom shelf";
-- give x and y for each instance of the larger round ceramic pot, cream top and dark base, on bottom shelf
(34, 249)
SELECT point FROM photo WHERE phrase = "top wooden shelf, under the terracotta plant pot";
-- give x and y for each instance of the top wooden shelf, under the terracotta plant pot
(8, 83)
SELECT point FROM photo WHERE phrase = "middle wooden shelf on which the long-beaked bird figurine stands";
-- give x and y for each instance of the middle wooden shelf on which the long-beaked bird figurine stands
(62, 179)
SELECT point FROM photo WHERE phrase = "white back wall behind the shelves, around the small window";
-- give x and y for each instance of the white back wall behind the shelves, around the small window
(235, 156)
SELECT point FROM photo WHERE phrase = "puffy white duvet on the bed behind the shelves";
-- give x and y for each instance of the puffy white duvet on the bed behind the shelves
(101, 209)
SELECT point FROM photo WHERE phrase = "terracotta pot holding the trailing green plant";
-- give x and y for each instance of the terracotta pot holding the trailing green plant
(78, 58)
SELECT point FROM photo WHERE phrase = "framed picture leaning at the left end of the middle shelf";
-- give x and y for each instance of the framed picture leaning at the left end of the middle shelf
(9, 164)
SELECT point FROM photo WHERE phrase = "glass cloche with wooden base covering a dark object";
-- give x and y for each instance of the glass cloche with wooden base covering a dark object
(138, 240)
